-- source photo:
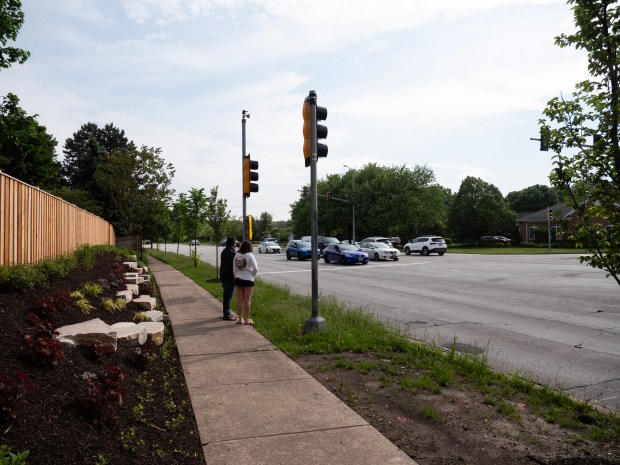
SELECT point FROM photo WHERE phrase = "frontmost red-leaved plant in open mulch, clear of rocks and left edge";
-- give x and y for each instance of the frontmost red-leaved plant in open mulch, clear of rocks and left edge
(102, 394)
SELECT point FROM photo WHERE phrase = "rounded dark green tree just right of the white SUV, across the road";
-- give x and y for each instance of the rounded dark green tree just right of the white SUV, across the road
(479, 209)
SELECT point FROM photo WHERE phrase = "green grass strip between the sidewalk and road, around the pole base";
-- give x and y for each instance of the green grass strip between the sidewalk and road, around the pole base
(397, 361)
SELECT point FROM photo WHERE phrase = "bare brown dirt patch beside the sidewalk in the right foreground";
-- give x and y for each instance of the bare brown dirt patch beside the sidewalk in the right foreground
(455, 427)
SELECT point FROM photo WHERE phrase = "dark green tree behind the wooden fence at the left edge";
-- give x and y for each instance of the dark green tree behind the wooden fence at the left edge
(27, 151)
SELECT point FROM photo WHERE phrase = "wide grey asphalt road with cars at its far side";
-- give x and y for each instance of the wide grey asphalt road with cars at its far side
(546, 317)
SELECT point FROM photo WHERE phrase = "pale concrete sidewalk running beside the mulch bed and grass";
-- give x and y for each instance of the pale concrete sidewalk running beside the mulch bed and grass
(253, 404)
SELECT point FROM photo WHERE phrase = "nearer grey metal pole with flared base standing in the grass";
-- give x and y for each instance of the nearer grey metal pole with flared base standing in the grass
(315, 323)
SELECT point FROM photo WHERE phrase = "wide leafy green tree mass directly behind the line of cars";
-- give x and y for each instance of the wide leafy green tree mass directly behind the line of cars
(389, 201)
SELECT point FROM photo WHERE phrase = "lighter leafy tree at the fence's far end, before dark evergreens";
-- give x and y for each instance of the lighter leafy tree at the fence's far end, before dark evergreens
(136, 186)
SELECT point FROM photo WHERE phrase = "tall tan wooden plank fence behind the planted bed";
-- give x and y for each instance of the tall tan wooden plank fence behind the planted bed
(35, 225)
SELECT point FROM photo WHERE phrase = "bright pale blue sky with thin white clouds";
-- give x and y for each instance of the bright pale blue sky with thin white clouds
(455, 85)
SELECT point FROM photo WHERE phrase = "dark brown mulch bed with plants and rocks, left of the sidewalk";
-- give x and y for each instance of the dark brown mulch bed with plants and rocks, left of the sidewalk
(154, 424)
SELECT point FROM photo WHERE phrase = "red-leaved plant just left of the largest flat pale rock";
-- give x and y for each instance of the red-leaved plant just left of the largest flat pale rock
(40, 346)
